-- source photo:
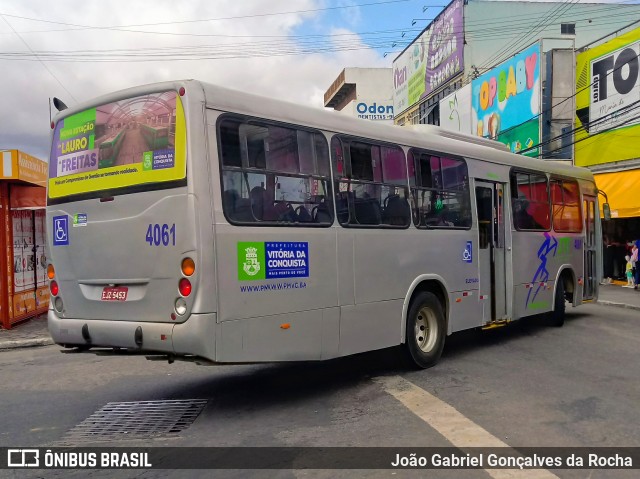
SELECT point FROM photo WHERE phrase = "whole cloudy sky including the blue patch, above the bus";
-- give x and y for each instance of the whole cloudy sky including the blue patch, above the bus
(285, 49)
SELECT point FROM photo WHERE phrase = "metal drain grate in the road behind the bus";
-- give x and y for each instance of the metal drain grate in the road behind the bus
(134, 420)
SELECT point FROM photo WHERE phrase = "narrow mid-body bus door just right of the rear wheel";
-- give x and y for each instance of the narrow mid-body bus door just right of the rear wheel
(491, 251)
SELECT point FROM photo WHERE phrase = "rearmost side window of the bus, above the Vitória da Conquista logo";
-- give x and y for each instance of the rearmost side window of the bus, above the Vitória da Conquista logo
(274, 174)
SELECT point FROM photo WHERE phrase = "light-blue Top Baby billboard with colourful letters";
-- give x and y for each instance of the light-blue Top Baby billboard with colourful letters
(505, 102)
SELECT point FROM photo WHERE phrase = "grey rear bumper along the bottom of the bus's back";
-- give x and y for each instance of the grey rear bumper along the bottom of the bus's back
(196, 336)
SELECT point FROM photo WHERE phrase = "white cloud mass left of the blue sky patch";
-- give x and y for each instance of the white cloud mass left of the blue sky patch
(261, 42)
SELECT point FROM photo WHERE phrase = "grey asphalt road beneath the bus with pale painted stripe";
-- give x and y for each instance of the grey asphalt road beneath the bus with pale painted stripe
(525, 385)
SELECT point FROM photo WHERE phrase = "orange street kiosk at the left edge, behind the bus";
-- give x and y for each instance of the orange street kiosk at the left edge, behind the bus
(23, 260)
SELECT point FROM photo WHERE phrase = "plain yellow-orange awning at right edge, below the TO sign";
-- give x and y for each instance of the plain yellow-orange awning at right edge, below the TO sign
(622, 191)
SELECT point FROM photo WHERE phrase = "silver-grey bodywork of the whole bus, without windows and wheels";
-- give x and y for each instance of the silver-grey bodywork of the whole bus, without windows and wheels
(357, 289)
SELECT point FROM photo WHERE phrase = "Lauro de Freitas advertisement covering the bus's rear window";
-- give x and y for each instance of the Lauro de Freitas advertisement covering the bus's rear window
(126, 143)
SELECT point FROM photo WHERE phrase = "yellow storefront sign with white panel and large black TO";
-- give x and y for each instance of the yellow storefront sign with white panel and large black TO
(608, 101)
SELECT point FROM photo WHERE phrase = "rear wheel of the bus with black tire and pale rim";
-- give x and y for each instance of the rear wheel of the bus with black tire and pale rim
(425, 316)
